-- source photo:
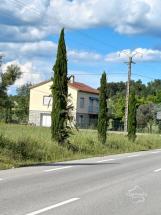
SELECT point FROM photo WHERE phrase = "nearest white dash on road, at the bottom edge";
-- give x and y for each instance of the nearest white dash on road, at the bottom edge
(53, 206)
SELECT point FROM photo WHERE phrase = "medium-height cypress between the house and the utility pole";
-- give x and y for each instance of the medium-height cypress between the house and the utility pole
(102, 117)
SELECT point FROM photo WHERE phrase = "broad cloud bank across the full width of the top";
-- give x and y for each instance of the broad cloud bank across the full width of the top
(32, 21)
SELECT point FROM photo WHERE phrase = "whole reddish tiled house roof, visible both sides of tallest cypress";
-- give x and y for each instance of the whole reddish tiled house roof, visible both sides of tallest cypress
(76, 85)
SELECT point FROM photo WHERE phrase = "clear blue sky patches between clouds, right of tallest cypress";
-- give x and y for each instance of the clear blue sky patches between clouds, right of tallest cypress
(105, 40)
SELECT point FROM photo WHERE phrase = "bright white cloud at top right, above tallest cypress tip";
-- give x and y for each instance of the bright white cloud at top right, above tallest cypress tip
(127, 16)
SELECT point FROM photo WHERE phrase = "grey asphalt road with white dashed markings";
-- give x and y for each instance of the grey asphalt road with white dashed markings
(113, 185)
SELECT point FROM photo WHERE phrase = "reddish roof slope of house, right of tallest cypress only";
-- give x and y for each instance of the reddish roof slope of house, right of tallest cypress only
(83, 87)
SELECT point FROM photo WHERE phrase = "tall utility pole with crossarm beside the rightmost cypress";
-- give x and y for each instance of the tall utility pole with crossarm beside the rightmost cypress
(129, 63)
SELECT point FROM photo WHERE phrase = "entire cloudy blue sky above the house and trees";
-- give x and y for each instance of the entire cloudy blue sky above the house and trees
(99, 34)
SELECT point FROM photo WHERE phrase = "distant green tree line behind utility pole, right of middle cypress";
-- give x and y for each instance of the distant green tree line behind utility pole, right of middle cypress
(148, 98)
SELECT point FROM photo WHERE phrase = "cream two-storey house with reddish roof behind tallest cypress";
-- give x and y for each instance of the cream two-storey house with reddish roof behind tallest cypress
(85, 101)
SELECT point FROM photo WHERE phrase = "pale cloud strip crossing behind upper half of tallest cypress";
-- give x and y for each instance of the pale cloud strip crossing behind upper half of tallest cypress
(44, 50)
